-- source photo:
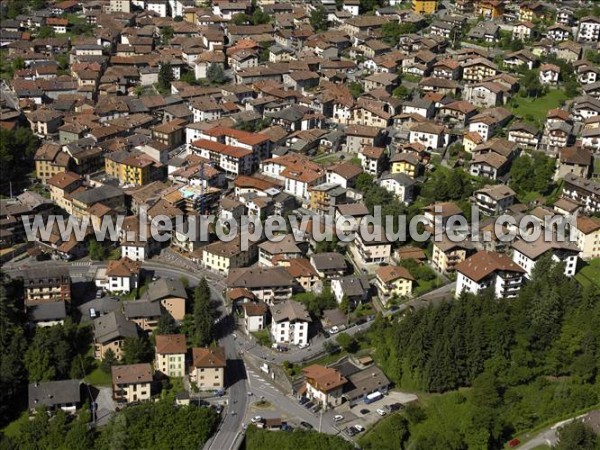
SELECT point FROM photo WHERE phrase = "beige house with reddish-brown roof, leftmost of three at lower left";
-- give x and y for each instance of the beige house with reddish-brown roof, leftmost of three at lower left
(132, 382)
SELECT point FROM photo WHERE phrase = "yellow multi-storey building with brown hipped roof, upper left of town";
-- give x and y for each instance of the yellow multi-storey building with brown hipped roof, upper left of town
(133, 168)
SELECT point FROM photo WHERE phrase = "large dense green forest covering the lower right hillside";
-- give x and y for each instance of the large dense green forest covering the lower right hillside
(509, 364)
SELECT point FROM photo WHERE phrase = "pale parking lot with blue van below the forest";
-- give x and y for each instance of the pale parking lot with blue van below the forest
(354, 415)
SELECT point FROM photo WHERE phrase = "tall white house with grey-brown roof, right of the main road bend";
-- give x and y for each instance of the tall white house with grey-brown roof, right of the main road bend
(289, 323)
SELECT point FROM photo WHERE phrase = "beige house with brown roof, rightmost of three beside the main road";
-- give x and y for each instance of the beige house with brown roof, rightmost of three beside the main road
(208, 368)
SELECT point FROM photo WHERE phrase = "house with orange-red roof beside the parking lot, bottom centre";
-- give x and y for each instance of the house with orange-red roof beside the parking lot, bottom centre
(324, 385)
